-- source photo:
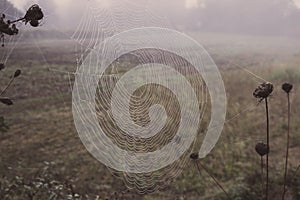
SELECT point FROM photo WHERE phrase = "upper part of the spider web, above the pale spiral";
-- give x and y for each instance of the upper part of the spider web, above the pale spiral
(98, 23)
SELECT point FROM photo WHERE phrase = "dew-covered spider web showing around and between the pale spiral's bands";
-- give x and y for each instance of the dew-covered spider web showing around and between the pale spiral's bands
(101, 22)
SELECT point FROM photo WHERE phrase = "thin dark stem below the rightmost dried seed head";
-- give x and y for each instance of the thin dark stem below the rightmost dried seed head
(287, 147)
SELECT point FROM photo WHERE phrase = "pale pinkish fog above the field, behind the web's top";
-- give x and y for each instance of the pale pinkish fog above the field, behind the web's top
(255, 17)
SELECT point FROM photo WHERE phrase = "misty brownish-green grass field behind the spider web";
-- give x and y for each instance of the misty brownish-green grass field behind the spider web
(42, 156)
